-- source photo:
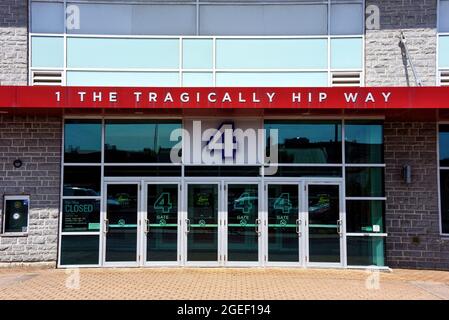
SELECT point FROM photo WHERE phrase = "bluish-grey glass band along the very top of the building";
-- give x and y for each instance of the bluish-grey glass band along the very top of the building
(250, 18)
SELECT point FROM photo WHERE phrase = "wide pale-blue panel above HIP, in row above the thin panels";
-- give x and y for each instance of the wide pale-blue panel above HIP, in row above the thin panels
(271, 53)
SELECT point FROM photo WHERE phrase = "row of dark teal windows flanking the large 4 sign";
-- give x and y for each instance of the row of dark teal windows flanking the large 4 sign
(149, 141)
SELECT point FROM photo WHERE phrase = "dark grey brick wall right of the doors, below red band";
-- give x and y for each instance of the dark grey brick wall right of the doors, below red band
(412, 216)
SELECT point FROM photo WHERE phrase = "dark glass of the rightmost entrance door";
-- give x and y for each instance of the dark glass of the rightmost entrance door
(324, 215)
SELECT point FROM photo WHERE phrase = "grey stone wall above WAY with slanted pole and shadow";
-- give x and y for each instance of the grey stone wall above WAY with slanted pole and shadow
(385, 63)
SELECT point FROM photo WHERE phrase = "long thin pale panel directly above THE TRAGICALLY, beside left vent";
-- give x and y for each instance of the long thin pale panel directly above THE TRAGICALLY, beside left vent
(123, 79)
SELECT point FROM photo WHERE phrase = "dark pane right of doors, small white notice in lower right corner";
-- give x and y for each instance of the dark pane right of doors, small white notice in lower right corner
(365, 216)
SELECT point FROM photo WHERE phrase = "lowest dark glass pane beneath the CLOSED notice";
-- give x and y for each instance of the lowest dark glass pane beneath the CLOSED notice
(79, 250)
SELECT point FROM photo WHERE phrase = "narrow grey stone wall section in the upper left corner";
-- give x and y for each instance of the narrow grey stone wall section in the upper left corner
(13, 42)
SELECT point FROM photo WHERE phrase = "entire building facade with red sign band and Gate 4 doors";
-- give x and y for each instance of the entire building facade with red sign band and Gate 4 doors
(118, 185)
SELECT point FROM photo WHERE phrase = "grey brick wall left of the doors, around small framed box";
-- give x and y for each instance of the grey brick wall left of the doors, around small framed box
(36, 140)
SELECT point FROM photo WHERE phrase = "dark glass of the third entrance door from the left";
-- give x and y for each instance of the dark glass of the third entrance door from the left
(202, 211)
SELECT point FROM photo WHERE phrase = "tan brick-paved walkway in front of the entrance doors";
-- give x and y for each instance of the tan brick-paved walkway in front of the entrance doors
(222, 284)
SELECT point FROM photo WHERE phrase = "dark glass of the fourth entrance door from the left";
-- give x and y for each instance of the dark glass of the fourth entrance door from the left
(243, 209)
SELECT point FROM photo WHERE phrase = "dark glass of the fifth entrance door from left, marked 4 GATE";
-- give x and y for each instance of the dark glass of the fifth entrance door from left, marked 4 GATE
(282, 223)
